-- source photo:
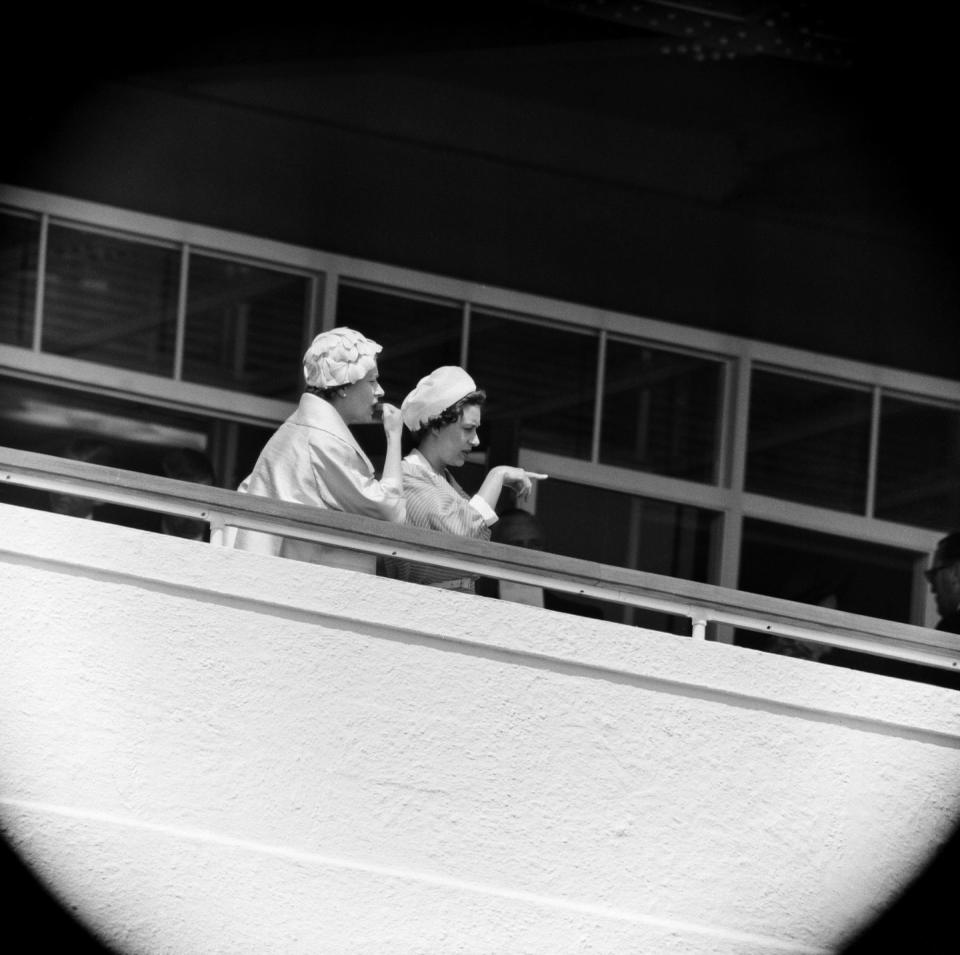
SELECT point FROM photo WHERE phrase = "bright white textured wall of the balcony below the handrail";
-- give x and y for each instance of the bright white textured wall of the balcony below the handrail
(211, 751)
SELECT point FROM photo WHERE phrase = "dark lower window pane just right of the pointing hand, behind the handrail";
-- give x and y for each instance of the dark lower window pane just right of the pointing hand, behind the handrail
(612, 527)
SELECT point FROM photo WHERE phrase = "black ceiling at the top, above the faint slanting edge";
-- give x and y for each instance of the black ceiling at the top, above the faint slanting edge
(801, 109)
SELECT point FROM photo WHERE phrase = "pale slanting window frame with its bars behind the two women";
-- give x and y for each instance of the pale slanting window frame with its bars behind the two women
(326, 270)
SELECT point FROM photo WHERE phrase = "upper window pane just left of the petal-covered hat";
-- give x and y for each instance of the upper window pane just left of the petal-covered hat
(245, 327)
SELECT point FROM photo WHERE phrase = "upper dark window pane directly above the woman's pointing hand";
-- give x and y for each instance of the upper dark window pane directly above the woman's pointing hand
(540, 383)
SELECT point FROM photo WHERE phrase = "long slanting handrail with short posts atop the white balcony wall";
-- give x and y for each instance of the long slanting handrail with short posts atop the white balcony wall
(700, 603)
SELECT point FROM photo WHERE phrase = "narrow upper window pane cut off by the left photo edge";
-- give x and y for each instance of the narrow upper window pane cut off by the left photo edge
(19, 244)
